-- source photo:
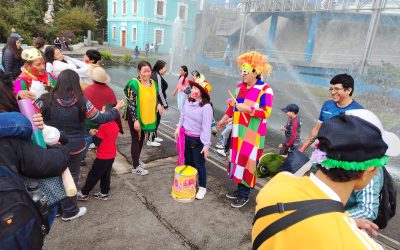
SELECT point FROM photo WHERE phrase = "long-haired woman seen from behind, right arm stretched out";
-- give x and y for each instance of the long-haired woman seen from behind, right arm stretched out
(66, 109)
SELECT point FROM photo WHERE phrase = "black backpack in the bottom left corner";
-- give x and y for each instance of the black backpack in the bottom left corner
(21, 223)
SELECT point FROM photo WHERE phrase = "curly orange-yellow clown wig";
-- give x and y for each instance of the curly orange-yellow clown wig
(255, 61)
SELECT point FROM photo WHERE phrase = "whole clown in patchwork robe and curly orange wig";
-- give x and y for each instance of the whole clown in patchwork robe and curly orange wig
(250, 110)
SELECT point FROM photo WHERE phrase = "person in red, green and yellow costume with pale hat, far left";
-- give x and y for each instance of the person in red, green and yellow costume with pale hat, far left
(33, 70)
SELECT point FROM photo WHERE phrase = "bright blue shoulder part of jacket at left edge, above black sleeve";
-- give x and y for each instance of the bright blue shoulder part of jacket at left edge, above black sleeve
(15, 124)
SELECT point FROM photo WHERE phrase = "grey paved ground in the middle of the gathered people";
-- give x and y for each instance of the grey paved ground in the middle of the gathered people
(141, 214)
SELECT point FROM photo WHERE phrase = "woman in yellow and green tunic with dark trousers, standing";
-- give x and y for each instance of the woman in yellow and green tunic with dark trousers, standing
(141, 112)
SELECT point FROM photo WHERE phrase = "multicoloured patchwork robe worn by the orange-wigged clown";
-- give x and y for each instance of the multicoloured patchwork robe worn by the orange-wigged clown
(248, 139)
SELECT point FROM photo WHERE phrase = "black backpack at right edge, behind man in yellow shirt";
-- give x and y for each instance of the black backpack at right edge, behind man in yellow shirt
(387, 201)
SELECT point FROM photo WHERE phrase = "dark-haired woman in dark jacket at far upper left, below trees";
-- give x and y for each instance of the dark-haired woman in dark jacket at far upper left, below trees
(12, 60)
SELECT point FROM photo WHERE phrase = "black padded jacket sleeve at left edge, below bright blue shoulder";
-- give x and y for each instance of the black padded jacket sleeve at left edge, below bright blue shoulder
(32, 160)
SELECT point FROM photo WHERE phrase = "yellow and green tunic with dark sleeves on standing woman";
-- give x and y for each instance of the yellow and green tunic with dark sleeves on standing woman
(142, 103)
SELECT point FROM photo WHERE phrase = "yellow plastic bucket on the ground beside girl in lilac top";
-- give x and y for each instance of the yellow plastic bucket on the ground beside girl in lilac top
(184, 186)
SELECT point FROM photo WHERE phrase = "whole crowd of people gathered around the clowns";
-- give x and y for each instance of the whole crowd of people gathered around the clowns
(72, 96)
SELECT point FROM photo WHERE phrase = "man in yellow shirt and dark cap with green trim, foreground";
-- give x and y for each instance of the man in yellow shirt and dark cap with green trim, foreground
(352, 148)
